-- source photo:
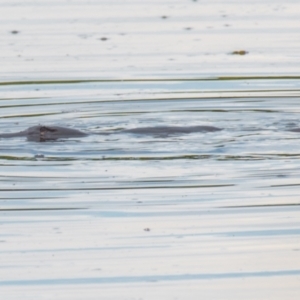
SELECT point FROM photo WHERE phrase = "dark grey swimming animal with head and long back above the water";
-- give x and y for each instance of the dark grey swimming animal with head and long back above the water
(51, 133)
